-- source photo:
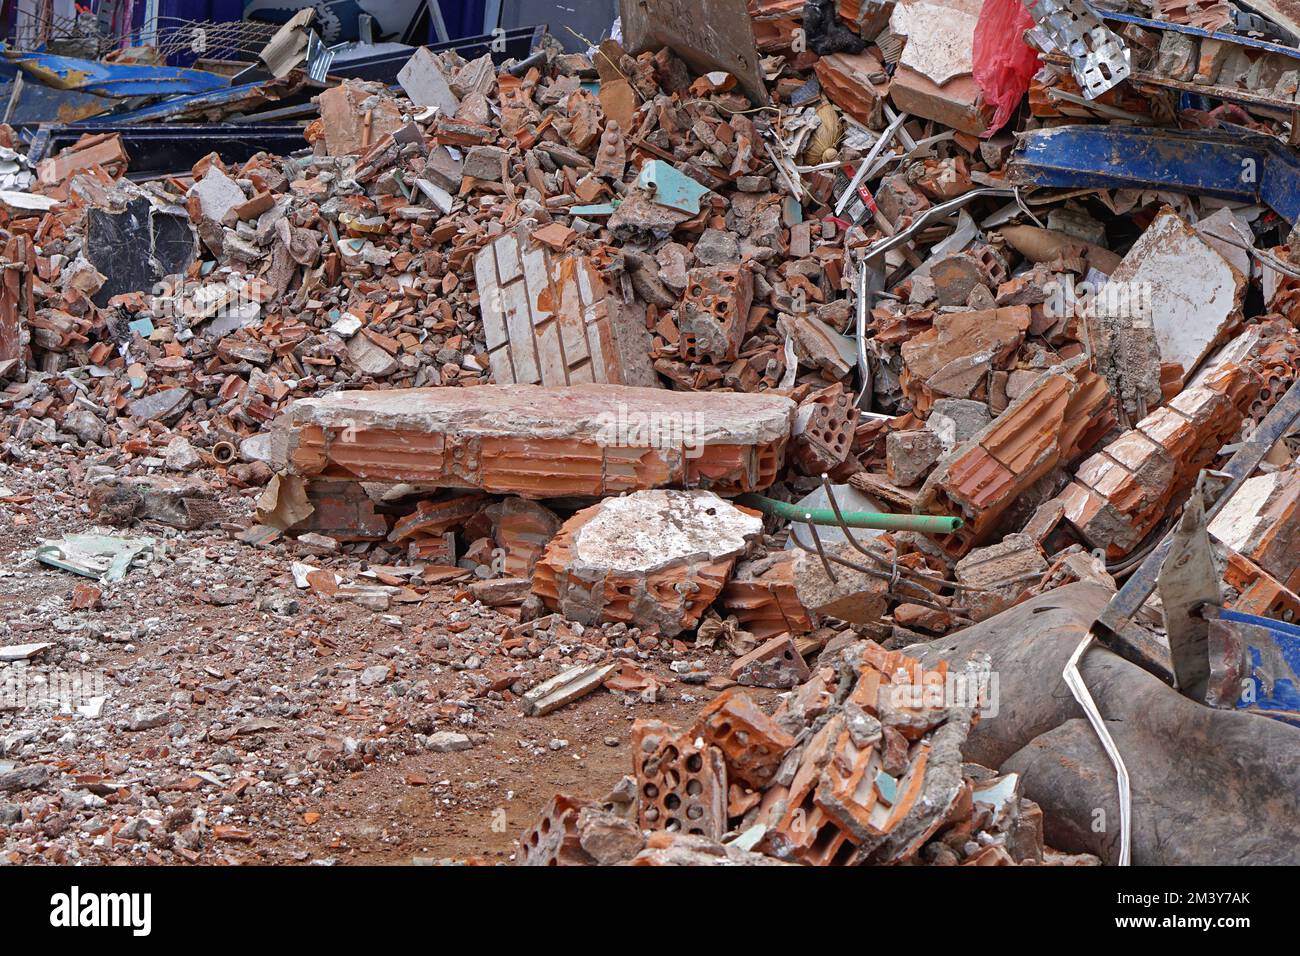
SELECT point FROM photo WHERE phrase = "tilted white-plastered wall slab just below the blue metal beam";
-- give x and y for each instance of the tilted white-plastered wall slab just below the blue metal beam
(1176, 285)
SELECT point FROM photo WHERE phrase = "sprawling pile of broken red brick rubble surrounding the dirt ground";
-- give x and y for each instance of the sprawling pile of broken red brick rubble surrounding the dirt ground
(811, 360)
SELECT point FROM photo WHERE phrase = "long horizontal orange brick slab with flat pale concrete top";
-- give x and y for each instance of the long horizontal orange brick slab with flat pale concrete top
(539, 443)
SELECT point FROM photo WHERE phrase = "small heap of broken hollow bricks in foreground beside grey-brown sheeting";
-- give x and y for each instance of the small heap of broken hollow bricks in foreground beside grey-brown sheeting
(863, 764)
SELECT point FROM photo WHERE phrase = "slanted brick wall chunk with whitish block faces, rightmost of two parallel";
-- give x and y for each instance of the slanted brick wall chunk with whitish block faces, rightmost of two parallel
(1124, 491)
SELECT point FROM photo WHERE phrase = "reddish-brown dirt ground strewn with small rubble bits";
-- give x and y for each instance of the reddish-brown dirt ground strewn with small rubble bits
(249, 721)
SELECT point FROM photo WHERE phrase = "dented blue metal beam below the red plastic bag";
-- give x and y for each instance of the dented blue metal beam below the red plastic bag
(1230, 166)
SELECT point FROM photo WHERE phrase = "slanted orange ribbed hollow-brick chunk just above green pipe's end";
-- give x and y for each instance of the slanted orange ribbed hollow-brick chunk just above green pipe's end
(1067, 410)
